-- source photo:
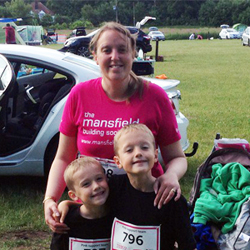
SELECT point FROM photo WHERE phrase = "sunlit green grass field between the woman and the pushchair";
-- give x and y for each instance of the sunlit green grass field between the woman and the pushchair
(215, 78)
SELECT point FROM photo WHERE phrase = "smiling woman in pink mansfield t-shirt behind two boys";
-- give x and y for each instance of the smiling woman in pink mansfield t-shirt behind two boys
(96, 109)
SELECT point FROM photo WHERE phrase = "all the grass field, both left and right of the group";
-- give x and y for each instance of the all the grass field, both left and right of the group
(214, 77)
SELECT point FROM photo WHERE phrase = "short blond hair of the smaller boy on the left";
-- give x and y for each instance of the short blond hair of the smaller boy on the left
(74, 166)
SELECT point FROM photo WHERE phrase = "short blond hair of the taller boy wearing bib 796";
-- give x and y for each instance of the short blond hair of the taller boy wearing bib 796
(129, 128)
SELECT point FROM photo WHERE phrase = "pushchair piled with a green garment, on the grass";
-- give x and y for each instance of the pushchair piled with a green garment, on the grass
(220, 197)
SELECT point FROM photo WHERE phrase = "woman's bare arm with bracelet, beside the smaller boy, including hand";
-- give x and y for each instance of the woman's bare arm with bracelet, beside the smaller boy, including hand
(66, 153)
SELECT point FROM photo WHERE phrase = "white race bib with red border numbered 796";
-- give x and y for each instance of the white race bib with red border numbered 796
(126, 236)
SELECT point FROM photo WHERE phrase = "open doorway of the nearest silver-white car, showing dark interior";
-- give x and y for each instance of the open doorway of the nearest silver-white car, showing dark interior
(35, 92)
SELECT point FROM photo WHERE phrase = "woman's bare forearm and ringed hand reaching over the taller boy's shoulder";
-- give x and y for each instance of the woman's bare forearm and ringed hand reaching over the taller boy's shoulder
(176, 166)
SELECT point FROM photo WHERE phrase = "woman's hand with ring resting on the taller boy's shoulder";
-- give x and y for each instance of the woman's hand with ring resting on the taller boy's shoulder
(166, 187)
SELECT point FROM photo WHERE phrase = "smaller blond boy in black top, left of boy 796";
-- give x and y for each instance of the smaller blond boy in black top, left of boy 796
(90, 223)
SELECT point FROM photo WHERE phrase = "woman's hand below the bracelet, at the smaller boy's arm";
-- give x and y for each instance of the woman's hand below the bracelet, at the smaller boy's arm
(52, 217)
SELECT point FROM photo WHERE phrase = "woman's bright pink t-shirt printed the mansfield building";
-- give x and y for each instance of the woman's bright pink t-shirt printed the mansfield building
(94, 118)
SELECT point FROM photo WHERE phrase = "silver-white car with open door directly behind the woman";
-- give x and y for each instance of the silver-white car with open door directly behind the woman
(31, 111)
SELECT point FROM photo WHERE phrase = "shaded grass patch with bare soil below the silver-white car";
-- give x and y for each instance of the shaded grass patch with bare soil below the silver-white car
(22, 223)
